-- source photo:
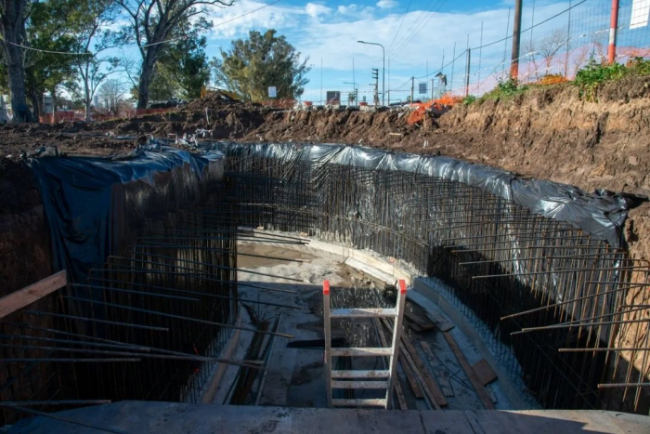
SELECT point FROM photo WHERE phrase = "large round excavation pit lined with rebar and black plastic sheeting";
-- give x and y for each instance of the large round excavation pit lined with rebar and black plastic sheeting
(256, 275)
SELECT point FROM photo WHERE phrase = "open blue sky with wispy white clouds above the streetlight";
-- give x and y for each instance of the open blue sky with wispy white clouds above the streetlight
(415, 33)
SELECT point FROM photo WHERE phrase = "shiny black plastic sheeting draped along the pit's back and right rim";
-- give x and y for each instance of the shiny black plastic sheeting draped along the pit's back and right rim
(601, 214)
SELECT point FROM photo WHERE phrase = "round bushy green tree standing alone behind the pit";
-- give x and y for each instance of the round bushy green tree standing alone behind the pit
(253, 65)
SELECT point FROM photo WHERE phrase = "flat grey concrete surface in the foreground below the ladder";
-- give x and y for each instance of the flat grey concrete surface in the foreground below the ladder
(171, 418)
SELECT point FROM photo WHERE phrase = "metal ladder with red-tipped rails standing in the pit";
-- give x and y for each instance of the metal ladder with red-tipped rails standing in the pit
(350, 379)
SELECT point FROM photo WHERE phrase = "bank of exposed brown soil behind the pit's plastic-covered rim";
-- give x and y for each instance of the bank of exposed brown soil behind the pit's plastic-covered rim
(551, 133)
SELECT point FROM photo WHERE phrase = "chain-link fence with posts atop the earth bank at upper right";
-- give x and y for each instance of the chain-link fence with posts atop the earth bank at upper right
(553, 47)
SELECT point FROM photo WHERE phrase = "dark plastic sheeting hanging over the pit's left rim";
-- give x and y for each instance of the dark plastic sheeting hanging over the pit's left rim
(78, 198)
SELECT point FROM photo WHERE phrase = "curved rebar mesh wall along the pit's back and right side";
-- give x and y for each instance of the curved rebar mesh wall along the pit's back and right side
(565, 313)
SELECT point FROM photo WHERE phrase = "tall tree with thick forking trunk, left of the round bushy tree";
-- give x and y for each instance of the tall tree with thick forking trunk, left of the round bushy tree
(151, 24)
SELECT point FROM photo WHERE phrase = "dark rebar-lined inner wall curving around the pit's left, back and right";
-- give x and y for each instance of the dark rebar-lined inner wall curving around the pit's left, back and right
(496, 257)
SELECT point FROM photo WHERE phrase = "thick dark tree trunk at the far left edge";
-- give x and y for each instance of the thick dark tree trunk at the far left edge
(13, 16)
